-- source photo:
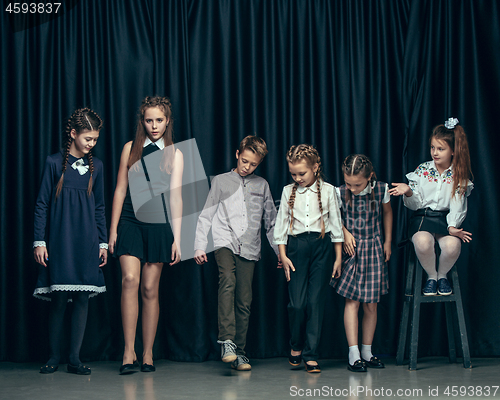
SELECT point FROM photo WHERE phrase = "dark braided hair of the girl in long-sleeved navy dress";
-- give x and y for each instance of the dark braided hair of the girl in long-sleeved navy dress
(81, 120)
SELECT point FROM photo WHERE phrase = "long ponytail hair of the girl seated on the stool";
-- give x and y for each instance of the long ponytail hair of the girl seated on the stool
(457, 140)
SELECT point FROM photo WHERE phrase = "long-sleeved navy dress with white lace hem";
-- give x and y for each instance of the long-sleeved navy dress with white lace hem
(73, 226)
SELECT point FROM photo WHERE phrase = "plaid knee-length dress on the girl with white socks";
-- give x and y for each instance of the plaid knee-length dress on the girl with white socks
(364, 276)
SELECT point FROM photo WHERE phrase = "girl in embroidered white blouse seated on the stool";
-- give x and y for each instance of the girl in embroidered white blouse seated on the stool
(437, 192)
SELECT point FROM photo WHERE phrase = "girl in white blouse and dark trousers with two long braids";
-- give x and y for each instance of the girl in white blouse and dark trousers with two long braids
(308, 222)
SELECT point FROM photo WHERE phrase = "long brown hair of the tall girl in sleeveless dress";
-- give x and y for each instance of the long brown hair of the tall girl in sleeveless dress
(163, 103)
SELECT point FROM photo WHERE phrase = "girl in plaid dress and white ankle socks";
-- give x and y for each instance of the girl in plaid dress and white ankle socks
(365, 204)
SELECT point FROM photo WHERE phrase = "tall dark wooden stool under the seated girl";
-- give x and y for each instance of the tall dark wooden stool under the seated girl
(413, 299)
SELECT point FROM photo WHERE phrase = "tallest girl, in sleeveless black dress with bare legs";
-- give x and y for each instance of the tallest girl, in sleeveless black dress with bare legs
(137, 242)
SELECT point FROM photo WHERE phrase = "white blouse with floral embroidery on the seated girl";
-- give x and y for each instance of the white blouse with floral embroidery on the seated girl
(433, 190)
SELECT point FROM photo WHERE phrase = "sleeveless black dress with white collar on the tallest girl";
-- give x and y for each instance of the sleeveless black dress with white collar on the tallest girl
(150, 242)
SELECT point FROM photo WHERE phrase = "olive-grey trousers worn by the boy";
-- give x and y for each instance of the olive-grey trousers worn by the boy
(235, 296)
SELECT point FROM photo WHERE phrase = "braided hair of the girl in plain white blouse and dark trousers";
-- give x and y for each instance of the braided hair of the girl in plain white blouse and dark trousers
(306, 152)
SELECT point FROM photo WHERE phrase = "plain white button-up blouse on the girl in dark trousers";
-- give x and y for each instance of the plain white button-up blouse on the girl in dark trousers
(306, 213)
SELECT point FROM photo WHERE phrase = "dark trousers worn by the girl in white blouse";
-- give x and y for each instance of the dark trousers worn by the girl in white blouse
(312, 258)
